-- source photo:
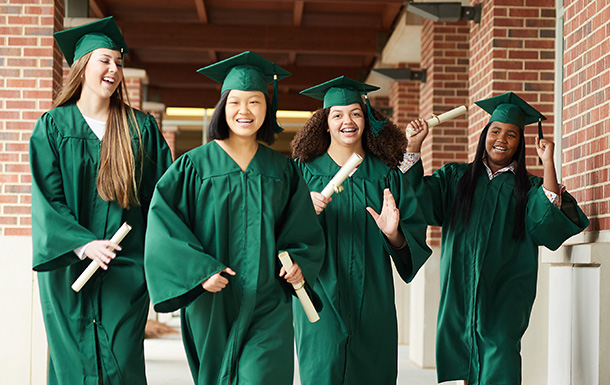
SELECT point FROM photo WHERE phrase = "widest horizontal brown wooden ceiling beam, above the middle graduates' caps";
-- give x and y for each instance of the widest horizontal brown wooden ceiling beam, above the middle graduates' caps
(356, 40)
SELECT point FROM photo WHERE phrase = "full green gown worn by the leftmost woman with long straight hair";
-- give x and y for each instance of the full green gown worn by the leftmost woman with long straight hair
(103, 324)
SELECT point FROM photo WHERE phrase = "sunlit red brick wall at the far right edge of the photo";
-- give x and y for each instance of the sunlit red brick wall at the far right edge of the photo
(586, 107)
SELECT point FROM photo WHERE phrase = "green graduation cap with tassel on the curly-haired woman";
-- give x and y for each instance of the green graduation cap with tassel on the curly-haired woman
(343, 91)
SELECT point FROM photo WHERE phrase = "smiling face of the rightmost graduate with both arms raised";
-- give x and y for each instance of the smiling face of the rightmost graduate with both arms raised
(501, 144)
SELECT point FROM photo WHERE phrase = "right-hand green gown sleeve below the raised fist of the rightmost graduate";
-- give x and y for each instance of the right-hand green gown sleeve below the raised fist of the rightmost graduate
(548, 225)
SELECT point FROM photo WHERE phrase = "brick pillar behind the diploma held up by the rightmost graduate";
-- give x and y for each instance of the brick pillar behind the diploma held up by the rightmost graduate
(444, 53)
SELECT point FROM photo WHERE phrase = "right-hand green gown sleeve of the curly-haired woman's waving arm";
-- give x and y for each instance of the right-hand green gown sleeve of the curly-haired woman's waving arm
(413, 226)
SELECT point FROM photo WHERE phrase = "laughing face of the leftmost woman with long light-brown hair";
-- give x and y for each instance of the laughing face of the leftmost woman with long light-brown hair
(103, 74)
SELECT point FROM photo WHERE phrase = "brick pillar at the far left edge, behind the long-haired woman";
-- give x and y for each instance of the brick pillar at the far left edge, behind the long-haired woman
(29, 76)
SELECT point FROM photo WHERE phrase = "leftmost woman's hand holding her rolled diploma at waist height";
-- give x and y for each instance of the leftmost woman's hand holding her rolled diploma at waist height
(100, 257)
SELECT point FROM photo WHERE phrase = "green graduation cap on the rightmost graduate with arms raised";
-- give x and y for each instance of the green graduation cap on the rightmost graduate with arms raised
(510, 108)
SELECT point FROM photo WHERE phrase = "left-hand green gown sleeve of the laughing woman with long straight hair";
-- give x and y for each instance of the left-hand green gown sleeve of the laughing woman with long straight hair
(55, 229)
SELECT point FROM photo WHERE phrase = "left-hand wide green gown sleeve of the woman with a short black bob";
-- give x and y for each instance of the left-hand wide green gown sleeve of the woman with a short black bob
(175, 262)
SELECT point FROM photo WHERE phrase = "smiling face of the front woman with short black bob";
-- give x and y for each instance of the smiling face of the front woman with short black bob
(245, 112)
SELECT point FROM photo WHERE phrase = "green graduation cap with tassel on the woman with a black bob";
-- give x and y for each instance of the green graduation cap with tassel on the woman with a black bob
(247, 71)
